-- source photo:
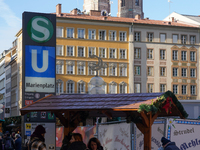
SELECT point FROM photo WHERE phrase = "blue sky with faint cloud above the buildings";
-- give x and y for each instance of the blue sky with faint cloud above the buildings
(11, 12)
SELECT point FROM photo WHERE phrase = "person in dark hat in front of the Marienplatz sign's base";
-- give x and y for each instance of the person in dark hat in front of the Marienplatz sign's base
(37, 139)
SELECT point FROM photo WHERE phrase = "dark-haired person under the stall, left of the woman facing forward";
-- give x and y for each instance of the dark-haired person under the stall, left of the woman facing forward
(77, 142)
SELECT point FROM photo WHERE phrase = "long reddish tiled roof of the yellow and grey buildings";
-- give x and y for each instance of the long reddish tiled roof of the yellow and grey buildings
(124, 20)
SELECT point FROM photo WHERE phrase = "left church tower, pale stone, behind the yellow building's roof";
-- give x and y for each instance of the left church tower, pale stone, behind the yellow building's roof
(99, 5)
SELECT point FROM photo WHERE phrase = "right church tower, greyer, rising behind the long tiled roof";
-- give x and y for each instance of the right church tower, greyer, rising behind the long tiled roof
(130, 8)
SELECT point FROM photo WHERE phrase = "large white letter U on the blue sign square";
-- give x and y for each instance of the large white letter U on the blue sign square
(45, 61)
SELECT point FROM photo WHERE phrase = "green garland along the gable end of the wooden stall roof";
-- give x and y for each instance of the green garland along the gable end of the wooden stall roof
(154, 107)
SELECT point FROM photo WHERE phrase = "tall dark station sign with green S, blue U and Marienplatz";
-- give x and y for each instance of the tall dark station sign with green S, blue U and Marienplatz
(39, 58)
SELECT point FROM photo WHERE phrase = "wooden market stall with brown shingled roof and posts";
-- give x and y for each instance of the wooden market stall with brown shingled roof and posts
(140, 108)
